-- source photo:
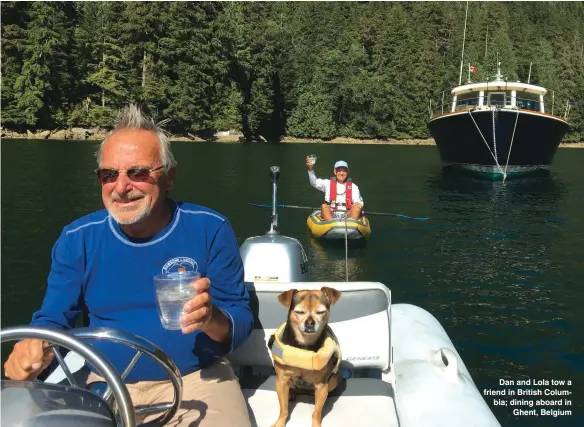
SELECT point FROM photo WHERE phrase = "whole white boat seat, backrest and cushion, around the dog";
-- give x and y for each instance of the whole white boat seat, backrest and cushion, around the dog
(361, 322)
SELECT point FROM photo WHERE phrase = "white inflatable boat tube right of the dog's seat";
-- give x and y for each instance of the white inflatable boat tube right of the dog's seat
(433, 386)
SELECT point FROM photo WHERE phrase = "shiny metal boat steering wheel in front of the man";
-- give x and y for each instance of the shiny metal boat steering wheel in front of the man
(73, 340)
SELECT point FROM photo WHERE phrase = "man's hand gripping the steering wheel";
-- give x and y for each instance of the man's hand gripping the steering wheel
(28, 359)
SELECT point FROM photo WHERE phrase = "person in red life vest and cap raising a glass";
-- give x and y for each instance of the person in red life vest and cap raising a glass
(340, 193)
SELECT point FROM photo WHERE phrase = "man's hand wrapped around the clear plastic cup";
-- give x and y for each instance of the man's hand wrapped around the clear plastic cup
(201, 314)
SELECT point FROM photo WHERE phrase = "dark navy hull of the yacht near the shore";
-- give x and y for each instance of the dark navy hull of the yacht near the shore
(536, 137)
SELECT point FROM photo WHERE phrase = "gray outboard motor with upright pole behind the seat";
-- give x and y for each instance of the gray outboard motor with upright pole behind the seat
(272, 257)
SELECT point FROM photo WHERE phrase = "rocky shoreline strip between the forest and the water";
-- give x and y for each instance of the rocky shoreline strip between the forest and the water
(97, 134)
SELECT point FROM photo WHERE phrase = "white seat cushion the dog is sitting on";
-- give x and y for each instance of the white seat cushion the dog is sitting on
(355, 402)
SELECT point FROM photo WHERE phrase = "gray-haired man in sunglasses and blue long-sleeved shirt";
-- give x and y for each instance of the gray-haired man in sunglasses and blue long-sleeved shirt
(107, 259)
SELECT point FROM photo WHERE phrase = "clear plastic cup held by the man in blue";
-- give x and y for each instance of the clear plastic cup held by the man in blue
(173, 291)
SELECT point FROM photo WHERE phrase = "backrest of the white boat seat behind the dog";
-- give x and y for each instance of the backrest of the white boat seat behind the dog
(360, 320)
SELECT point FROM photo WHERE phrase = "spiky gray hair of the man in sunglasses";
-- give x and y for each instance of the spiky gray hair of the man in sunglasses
(132, 117)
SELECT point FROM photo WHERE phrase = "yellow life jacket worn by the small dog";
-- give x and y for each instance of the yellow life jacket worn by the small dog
(306, 359)
